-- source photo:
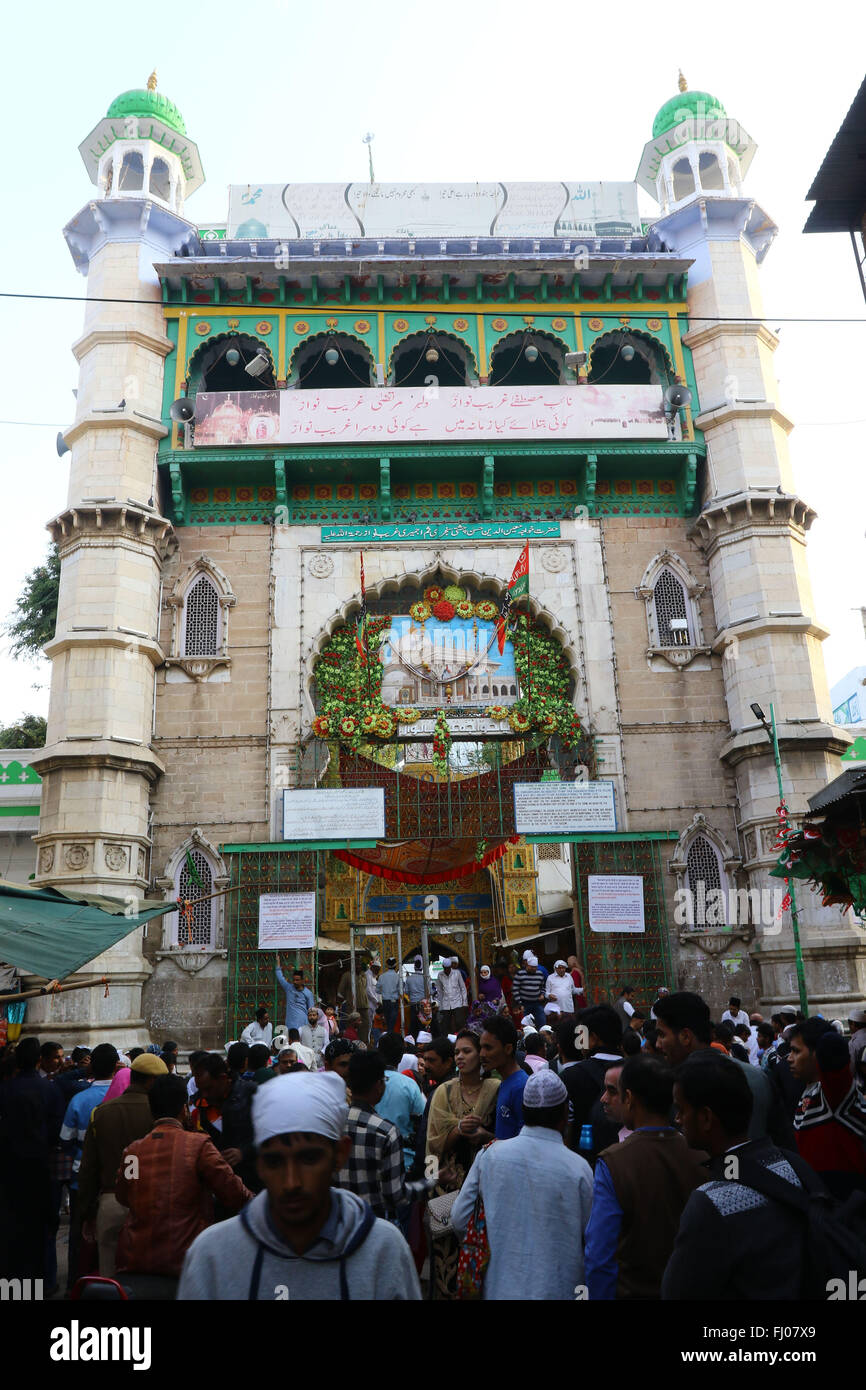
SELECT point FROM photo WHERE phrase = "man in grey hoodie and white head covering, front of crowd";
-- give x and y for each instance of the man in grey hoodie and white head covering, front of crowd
(301, 1239)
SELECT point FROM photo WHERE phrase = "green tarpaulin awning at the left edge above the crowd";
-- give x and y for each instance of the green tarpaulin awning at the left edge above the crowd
(51, 933)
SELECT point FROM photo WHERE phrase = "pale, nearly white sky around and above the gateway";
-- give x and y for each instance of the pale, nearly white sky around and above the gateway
(459, 91)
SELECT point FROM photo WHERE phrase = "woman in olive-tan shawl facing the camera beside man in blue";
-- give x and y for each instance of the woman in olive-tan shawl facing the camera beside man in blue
(461, 1120)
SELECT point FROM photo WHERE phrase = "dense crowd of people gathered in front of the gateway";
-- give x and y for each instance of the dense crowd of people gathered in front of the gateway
(630, 1150)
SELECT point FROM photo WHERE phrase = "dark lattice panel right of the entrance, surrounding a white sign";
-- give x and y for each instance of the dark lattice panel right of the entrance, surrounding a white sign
(616, 958)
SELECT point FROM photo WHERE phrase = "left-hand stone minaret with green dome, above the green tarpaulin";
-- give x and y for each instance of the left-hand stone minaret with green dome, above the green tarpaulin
(98, 767)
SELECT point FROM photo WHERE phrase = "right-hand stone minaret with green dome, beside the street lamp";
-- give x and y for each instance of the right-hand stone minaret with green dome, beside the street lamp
(753, 526)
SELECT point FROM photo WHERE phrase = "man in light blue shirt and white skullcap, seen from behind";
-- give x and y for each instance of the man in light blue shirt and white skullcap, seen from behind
(548, 1214)
